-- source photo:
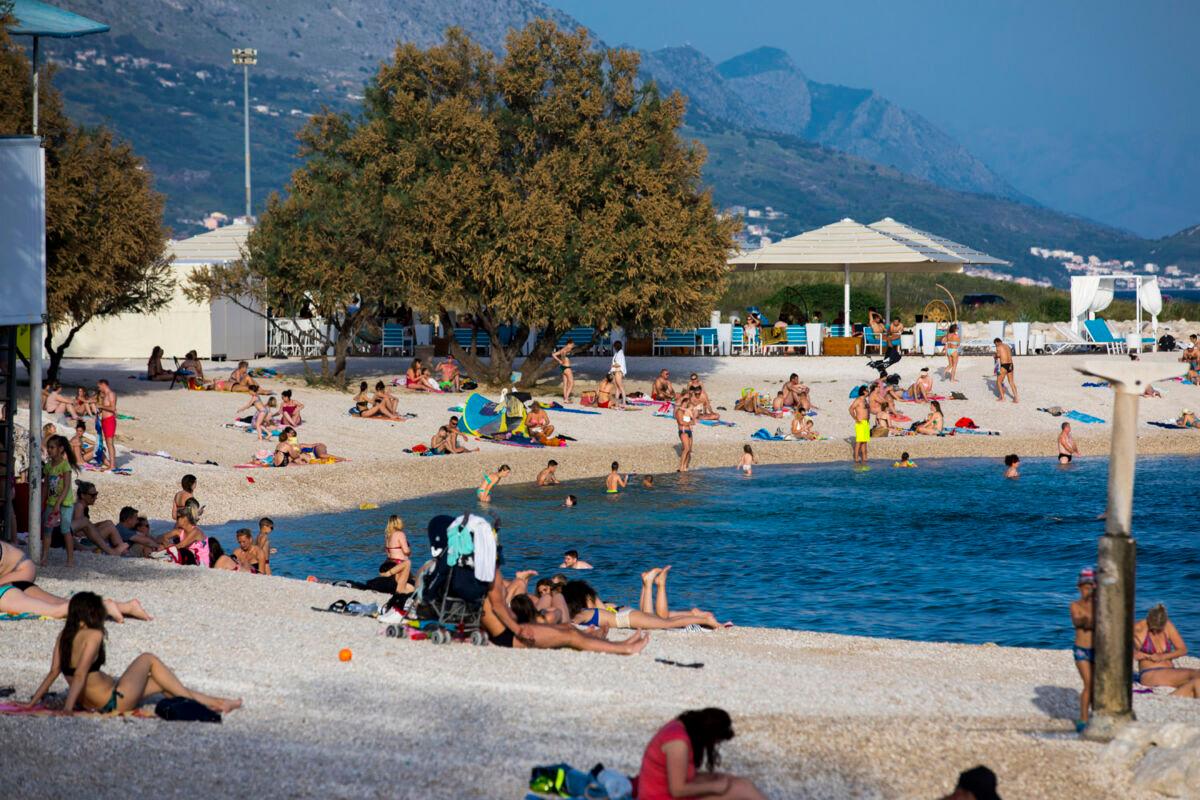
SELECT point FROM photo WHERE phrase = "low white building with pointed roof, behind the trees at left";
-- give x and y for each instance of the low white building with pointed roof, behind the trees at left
(214, 330)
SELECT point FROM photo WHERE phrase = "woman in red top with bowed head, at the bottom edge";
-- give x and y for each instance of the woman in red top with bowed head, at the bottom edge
(679, 749)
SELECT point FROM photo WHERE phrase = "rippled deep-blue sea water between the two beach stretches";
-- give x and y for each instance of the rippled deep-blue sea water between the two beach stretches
(950, 551)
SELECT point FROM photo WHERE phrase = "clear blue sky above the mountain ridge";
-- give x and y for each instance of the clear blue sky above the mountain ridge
(1094, 107)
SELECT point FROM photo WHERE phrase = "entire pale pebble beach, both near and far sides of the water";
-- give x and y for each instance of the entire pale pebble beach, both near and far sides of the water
(817, 715)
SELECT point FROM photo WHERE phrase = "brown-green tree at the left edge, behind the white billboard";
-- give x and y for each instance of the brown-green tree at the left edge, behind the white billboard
(105, 239)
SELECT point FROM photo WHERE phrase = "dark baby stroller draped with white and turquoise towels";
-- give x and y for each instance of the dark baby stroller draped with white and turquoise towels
(449, 598)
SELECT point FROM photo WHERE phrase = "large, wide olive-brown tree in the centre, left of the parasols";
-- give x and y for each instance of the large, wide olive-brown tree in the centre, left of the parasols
(545, 189)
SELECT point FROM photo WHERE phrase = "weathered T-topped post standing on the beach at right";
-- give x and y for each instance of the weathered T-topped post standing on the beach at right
(1117, 560)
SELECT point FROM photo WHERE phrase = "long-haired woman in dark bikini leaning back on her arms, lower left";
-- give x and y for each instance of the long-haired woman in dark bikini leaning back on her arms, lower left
(80, 655)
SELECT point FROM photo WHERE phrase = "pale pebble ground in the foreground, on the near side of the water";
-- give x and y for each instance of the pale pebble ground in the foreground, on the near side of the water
(818, 715)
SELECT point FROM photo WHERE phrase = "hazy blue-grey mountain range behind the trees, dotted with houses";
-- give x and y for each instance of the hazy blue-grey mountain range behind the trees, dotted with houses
(814, 152)
